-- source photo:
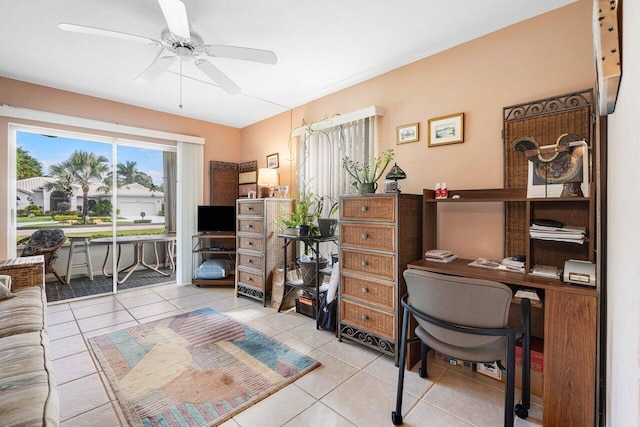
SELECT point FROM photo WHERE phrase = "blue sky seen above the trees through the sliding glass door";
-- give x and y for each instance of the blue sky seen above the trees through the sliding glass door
(53, 150)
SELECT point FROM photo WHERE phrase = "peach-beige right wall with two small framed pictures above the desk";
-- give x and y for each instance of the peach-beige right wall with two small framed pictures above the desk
(545, 56)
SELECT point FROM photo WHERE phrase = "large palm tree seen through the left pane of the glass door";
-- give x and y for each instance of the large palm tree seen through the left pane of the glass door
(82, 168)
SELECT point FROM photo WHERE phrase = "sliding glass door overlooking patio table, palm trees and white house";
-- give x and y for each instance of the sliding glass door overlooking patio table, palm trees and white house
(107, 196)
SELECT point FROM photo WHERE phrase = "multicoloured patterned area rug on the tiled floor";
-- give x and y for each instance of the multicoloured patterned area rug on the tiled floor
(194, 369)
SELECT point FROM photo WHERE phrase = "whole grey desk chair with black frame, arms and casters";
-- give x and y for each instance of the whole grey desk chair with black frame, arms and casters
(466, 319)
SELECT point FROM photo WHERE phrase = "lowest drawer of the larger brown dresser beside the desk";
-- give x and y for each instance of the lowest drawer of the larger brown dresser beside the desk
(377, 322)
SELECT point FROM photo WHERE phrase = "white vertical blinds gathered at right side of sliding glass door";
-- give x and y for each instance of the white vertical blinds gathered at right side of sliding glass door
(189, 188)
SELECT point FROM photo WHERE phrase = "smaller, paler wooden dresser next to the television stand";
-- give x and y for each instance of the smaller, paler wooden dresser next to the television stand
(258, 249)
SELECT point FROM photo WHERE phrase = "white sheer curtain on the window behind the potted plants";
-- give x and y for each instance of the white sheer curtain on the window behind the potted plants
(320, 157)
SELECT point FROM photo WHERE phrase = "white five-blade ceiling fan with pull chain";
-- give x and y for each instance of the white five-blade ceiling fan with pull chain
(185, 45)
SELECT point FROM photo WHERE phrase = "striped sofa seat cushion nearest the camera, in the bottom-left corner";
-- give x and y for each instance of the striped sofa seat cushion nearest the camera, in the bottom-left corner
(29, 394)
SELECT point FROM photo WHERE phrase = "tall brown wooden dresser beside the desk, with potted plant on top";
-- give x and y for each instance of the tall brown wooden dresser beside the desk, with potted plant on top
(379, 235)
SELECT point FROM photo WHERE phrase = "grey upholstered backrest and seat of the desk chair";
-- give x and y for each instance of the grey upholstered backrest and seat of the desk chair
(460, 300)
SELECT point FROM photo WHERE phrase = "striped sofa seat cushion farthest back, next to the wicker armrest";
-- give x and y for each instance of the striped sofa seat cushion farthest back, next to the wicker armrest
(23, 313)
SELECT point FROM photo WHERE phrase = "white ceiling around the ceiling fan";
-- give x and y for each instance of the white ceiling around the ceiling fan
(322, 47)
